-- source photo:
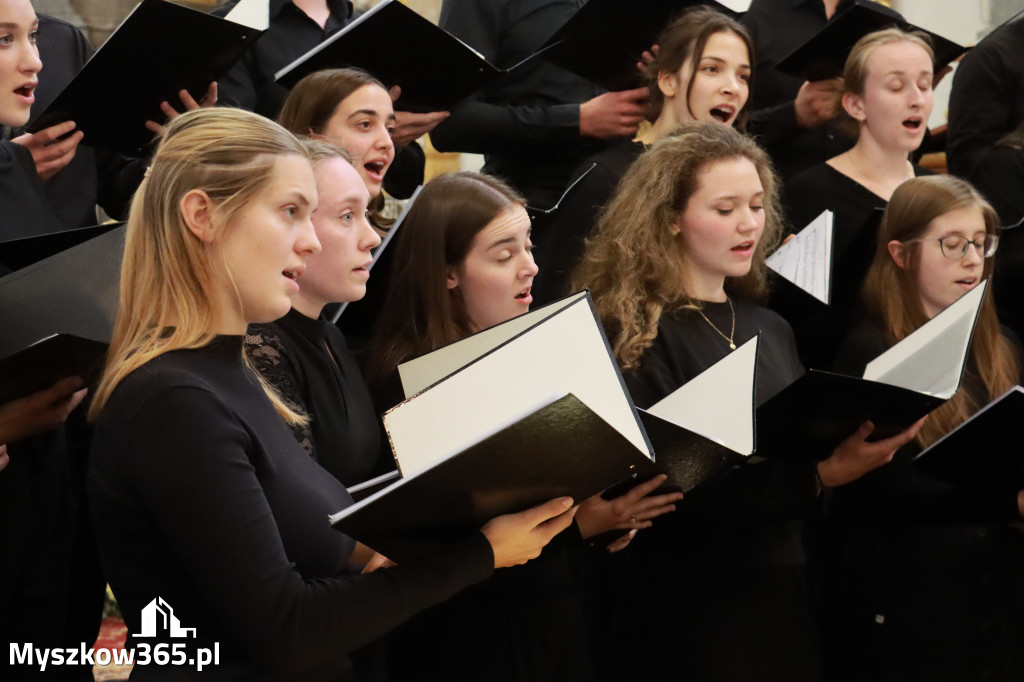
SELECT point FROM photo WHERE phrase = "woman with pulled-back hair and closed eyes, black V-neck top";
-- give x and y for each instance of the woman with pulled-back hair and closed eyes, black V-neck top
(888, 94)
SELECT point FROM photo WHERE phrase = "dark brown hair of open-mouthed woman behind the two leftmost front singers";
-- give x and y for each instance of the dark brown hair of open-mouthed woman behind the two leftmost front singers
(313, 102)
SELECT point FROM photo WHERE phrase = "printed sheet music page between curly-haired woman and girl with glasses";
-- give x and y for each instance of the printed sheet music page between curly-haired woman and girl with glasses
(806, 260)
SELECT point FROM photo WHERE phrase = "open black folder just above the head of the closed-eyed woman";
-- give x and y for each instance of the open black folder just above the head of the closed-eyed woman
(824, 56)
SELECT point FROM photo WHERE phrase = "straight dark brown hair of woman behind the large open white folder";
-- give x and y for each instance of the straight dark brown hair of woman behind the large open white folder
(421, 314)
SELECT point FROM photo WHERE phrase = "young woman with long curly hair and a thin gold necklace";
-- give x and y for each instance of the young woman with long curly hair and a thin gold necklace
(675, 271)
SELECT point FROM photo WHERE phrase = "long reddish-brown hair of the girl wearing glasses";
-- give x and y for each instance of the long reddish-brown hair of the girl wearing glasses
(891, 291)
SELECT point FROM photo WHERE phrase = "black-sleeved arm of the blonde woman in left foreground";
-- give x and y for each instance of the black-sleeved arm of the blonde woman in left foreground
(235, 553)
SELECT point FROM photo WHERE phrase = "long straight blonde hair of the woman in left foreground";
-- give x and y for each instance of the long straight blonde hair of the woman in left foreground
(167, 274)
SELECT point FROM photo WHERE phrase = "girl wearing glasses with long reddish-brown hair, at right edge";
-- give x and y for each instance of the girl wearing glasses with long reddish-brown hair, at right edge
(929, 583)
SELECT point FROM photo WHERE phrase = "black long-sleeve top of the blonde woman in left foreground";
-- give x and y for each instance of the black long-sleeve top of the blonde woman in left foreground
(202, 497)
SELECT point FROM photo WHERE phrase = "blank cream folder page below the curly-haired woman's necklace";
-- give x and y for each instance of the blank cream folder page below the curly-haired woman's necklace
(718, 404)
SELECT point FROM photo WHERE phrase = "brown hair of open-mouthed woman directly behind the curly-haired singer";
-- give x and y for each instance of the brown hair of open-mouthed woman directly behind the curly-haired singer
(685, 40)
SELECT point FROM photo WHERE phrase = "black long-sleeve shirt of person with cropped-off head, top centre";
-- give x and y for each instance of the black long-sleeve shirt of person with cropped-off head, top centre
(527, 123)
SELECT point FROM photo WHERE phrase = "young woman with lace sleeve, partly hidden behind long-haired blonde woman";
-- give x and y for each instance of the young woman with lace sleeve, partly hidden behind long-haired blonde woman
(304, 356)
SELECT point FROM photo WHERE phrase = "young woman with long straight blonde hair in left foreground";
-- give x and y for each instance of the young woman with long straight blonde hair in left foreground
(201, 496)
